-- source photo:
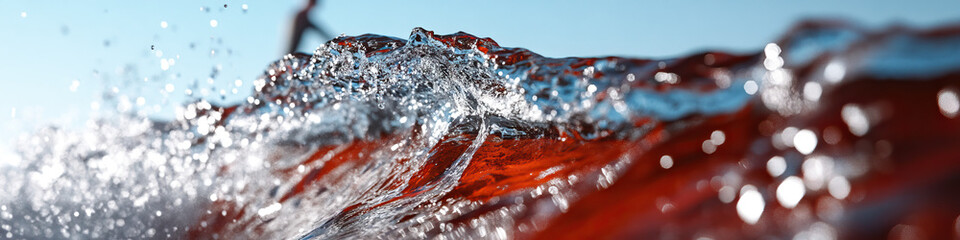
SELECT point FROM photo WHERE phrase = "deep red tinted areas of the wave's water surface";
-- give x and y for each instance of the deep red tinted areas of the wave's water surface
(906, 182)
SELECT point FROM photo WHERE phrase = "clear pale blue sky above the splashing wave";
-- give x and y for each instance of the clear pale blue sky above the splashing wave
(48, 46)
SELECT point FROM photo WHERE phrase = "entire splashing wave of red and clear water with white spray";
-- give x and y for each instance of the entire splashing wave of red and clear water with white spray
(831, 132)
